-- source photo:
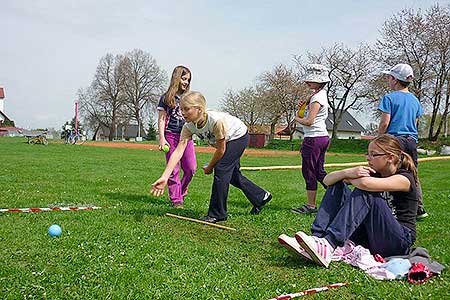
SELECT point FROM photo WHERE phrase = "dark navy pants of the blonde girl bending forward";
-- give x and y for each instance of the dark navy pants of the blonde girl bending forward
(226, 171)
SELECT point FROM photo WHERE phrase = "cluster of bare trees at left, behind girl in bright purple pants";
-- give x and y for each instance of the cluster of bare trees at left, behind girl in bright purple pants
(123, 90)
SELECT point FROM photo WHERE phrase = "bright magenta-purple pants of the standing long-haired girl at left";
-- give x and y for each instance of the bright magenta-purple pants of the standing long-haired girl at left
(178, 188)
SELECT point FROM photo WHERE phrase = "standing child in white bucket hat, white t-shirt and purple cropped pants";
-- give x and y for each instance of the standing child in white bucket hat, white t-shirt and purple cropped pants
(316, 139)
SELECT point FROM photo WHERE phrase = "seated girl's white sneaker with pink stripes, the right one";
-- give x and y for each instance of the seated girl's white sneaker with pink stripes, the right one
(319, 249)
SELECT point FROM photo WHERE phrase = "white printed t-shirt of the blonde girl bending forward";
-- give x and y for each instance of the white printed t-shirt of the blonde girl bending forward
(218, 125)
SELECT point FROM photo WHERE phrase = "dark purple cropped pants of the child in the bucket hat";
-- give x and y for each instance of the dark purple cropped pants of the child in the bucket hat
(313, 158)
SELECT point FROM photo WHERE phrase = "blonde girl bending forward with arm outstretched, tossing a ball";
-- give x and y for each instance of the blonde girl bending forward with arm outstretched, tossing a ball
(229, 136)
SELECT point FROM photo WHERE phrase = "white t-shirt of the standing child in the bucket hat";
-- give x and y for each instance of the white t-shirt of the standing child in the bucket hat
(319, 127)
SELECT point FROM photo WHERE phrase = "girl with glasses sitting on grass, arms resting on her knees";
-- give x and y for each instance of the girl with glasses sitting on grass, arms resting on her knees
(379, 214)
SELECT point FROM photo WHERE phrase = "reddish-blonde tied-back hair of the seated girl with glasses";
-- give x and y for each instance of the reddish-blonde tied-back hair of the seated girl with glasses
(390, 145)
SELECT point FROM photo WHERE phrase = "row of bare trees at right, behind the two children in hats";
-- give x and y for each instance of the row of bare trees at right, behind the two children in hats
(421, 39)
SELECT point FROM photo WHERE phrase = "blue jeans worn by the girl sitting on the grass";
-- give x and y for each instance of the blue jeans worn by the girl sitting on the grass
(363, 217)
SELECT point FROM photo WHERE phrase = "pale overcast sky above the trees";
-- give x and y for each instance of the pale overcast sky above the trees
(49, 49)
